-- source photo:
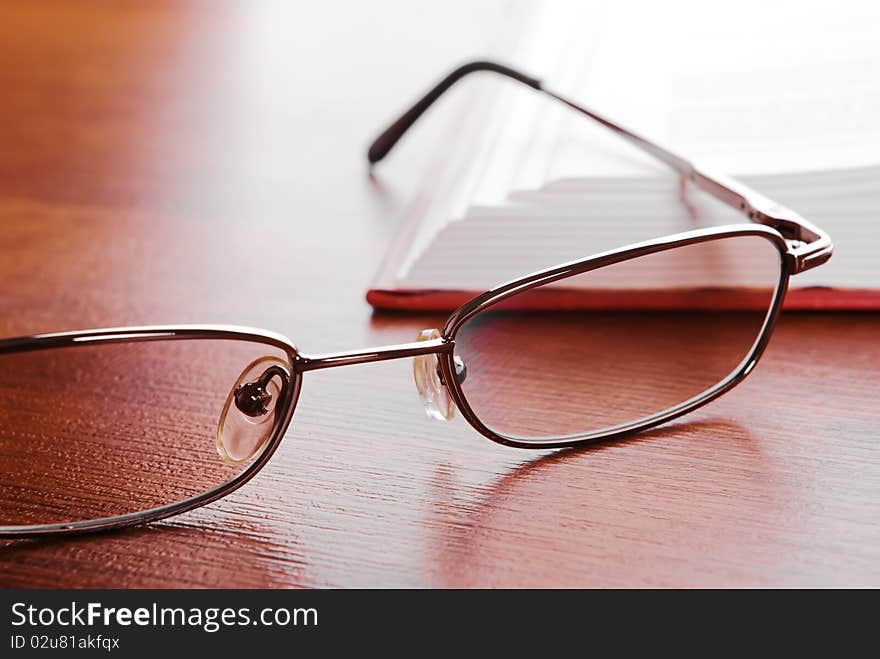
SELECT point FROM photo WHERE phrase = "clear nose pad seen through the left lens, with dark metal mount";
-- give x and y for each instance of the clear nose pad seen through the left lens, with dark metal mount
(244, 425)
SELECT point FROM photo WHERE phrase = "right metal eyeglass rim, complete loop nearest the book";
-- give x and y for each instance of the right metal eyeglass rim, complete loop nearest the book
(492, 297)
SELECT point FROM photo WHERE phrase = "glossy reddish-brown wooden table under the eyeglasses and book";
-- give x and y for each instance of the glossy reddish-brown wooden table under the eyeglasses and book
(176, 163)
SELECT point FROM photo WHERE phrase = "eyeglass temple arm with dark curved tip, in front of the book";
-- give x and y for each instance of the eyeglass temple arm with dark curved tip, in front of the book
(810, 245)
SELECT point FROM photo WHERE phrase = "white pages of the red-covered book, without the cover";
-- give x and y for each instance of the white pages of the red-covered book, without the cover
(802, 127)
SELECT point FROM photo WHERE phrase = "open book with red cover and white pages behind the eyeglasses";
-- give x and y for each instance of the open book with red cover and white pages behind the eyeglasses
(528, 184)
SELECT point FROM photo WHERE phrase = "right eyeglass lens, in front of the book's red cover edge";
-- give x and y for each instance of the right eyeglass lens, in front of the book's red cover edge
(632, 340)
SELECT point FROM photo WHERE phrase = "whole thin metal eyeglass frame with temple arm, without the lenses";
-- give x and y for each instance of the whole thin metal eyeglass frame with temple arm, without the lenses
(801, 246)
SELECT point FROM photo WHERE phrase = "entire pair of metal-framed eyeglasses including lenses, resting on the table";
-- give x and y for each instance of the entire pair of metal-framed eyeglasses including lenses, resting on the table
(108, 428)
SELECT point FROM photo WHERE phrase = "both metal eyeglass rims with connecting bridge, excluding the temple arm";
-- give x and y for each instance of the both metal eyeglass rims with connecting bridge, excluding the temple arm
(444, 348)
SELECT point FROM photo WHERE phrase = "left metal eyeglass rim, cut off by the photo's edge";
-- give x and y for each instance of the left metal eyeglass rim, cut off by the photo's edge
(162, 333)
